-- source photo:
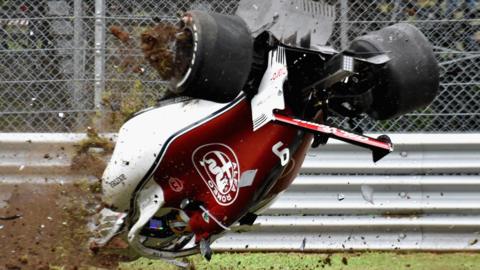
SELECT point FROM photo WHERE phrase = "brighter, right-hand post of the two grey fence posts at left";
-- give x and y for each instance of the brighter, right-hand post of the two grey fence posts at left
(99, 52)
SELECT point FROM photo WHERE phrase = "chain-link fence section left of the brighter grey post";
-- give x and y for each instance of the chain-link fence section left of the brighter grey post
(45, 65)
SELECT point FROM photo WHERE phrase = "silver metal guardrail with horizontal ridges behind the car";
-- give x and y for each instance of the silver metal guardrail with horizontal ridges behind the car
(423, 196)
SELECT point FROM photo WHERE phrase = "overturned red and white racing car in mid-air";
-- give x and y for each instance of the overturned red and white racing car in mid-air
(253, 95)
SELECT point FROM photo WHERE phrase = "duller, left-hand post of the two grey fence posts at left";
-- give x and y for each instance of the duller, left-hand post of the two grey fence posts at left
(78, 62)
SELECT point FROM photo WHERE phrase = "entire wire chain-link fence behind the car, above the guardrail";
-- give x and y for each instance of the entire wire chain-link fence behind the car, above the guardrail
(62, 70)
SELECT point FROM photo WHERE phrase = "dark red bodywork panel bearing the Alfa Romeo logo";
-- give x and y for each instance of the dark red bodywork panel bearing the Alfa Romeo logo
(213, 164)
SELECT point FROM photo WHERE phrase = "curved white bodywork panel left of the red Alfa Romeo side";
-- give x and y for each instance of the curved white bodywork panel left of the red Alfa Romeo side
(140, 141)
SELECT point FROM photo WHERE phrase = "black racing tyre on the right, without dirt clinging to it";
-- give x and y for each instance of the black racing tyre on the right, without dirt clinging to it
(410, 80)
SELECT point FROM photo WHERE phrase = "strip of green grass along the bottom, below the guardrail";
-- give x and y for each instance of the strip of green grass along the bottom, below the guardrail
(346, 261)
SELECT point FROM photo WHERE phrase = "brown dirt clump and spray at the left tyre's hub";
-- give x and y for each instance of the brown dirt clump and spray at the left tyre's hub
(166, 47)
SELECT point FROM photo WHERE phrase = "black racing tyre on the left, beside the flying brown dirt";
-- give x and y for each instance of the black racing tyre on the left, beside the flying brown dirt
(221, 58)
